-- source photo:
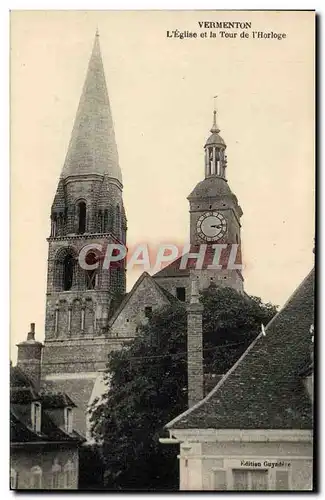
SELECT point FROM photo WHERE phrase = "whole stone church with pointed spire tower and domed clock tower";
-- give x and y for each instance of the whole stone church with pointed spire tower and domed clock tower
(89, 313)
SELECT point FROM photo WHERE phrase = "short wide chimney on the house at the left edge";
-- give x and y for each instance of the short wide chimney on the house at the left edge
(29, 357)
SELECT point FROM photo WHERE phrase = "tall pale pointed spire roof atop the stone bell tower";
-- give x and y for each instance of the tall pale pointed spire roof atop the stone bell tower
(92, 147)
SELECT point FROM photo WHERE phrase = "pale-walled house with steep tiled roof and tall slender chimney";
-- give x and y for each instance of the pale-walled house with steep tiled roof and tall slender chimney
(254, 430)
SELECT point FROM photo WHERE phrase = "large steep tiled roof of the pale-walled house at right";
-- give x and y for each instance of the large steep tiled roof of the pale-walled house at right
(264, 389)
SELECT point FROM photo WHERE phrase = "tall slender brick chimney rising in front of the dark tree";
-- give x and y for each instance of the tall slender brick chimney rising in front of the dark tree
(195, 382)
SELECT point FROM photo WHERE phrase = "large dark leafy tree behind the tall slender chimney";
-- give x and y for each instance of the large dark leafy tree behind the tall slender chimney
(148, 384)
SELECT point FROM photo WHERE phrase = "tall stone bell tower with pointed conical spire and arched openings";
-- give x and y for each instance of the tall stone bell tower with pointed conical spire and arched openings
(87, 210)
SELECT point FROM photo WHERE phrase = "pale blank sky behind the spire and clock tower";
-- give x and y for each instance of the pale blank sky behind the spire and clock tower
(161, 93)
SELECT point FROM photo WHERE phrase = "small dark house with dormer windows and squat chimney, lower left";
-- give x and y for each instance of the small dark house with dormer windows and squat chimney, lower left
(44, 447)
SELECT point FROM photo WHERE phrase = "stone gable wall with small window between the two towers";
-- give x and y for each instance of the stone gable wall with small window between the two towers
(145, 297)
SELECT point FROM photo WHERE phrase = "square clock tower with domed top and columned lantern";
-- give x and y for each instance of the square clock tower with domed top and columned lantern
(214, 210)
